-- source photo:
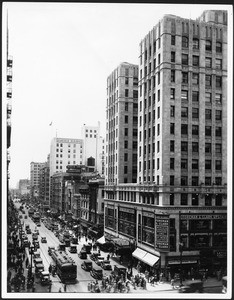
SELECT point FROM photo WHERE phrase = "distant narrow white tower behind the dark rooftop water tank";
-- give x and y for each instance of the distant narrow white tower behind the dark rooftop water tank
(94, 146)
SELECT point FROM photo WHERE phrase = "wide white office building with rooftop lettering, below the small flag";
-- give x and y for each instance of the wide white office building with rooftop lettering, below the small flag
(64, 152)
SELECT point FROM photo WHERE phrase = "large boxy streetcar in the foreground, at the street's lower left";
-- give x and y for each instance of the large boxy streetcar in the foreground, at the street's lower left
(65, 266)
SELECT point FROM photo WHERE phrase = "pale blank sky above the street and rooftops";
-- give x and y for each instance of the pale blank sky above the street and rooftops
(62, 56)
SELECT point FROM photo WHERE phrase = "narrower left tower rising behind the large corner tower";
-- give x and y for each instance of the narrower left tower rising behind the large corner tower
(121, 125)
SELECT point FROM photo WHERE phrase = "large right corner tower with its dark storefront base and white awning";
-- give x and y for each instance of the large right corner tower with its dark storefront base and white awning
(176, 214)
